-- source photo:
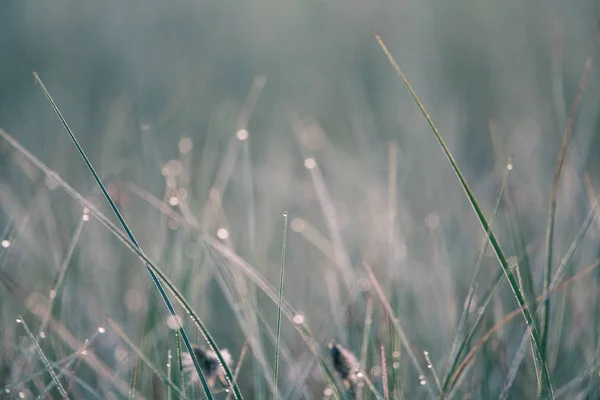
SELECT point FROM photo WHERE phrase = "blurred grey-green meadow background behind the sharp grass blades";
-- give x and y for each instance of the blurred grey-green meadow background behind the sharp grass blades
(207, 120)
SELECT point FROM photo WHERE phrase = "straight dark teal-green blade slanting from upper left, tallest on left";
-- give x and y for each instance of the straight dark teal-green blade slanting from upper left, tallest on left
(134, 241)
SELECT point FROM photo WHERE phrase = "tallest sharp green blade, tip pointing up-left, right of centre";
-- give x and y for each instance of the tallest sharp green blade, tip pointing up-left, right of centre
(542, 373)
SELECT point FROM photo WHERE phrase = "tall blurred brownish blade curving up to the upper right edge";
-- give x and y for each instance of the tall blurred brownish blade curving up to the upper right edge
(553, 194)
